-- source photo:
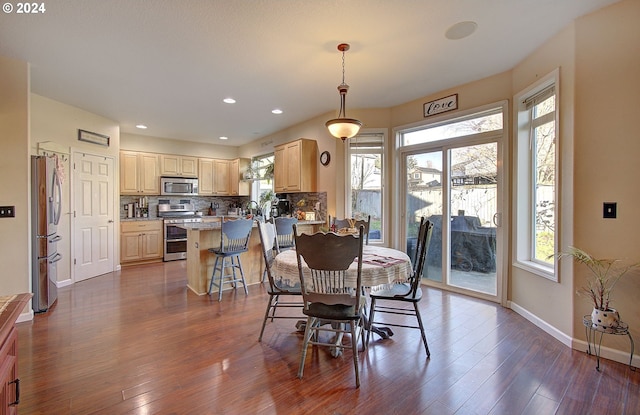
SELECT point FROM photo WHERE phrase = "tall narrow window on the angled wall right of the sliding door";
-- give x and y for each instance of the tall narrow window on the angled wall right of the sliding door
(537, 166)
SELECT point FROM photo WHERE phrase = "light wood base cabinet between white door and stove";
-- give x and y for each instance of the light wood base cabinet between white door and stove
(141, 241)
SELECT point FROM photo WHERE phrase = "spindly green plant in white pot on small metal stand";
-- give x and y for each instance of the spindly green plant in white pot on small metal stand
(605, 274)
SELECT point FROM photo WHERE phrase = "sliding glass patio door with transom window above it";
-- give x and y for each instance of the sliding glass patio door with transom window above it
(454, 182)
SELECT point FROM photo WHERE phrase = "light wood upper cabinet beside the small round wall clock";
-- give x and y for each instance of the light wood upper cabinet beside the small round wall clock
(295, 166)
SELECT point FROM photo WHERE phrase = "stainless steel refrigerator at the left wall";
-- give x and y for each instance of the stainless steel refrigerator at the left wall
(46, 205)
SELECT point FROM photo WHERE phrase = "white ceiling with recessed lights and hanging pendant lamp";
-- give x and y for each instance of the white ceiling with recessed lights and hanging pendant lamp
(169, 64)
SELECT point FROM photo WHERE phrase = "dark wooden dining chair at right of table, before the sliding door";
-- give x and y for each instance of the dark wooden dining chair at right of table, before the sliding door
(382, 298)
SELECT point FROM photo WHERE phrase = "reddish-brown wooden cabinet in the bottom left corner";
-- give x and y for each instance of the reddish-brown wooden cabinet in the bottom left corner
(9, 381)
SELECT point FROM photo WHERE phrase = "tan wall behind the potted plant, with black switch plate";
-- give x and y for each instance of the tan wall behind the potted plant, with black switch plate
(607, 145)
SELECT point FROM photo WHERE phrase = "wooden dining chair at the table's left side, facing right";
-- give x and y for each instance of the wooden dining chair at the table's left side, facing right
(277, 287)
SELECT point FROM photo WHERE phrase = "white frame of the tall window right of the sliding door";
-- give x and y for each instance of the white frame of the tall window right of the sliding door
(524, 179)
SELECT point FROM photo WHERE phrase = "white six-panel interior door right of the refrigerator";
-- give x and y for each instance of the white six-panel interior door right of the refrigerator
(93, 215)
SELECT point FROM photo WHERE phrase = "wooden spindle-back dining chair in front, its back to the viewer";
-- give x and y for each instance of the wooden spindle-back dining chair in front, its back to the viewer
(329, 293)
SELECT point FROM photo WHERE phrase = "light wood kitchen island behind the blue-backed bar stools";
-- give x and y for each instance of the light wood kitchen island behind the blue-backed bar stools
(205, 235)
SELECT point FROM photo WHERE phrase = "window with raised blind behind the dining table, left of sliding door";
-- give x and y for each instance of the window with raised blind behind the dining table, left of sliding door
(365, 178)
